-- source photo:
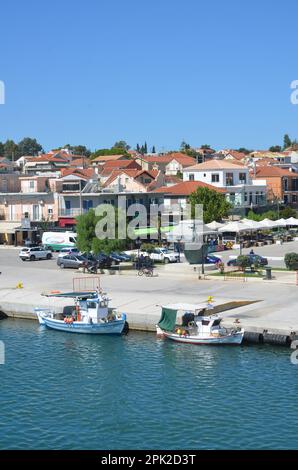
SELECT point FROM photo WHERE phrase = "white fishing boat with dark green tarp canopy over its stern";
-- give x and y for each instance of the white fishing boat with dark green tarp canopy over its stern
(195, 324)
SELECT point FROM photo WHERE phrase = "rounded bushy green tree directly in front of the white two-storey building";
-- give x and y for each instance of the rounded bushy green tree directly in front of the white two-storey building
(214, 204)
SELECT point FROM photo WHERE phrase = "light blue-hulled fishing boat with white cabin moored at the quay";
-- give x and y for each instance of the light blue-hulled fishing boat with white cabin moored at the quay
(90, 314)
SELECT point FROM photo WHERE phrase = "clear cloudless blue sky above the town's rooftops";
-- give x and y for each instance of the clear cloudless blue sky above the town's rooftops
(95, 71)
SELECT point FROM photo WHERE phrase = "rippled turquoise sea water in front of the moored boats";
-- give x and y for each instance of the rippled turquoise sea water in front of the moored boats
(65, 391)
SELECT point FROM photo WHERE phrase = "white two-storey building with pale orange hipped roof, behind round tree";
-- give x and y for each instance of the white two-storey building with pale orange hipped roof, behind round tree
(240, 189)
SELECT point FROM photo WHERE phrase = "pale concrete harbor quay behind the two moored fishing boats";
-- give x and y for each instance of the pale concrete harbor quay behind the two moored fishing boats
(267, 310)
